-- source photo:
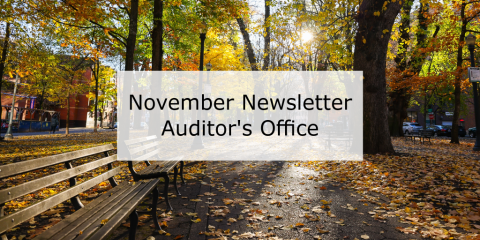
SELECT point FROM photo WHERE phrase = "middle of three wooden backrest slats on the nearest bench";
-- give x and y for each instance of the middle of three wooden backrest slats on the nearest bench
(28, 187)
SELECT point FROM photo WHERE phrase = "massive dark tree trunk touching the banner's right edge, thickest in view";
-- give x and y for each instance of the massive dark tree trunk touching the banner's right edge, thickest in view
(371, 45)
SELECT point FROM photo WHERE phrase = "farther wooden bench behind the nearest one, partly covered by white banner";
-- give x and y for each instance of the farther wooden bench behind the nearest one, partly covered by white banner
(148, 148)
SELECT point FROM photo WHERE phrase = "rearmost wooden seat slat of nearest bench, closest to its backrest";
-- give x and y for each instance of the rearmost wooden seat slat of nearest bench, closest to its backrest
(94, 206)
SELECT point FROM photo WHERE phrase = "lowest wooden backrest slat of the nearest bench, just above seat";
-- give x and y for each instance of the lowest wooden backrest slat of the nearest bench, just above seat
(18, 217)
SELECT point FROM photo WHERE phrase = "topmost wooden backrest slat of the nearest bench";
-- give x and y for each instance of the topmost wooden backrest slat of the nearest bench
(22, 167)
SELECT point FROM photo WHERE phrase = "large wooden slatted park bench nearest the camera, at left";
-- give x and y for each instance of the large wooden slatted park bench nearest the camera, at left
(97, 219)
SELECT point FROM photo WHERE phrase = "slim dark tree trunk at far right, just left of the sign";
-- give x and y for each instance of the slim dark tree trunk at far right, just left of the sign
(456, 111)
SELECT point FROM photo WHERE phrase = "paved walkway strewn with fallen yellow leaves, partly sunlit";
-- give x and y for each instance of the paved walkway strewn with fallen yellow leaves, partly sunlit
(267, 200)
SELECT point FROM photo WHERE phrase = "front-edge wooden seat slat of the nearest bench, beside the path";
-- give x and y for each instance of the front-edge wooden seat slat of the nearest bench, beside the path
(124, 212)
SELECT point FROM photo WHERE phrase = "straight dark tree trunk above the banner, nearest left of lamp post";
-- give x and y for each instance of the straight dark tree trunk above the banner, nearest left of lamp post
(154, 125)
